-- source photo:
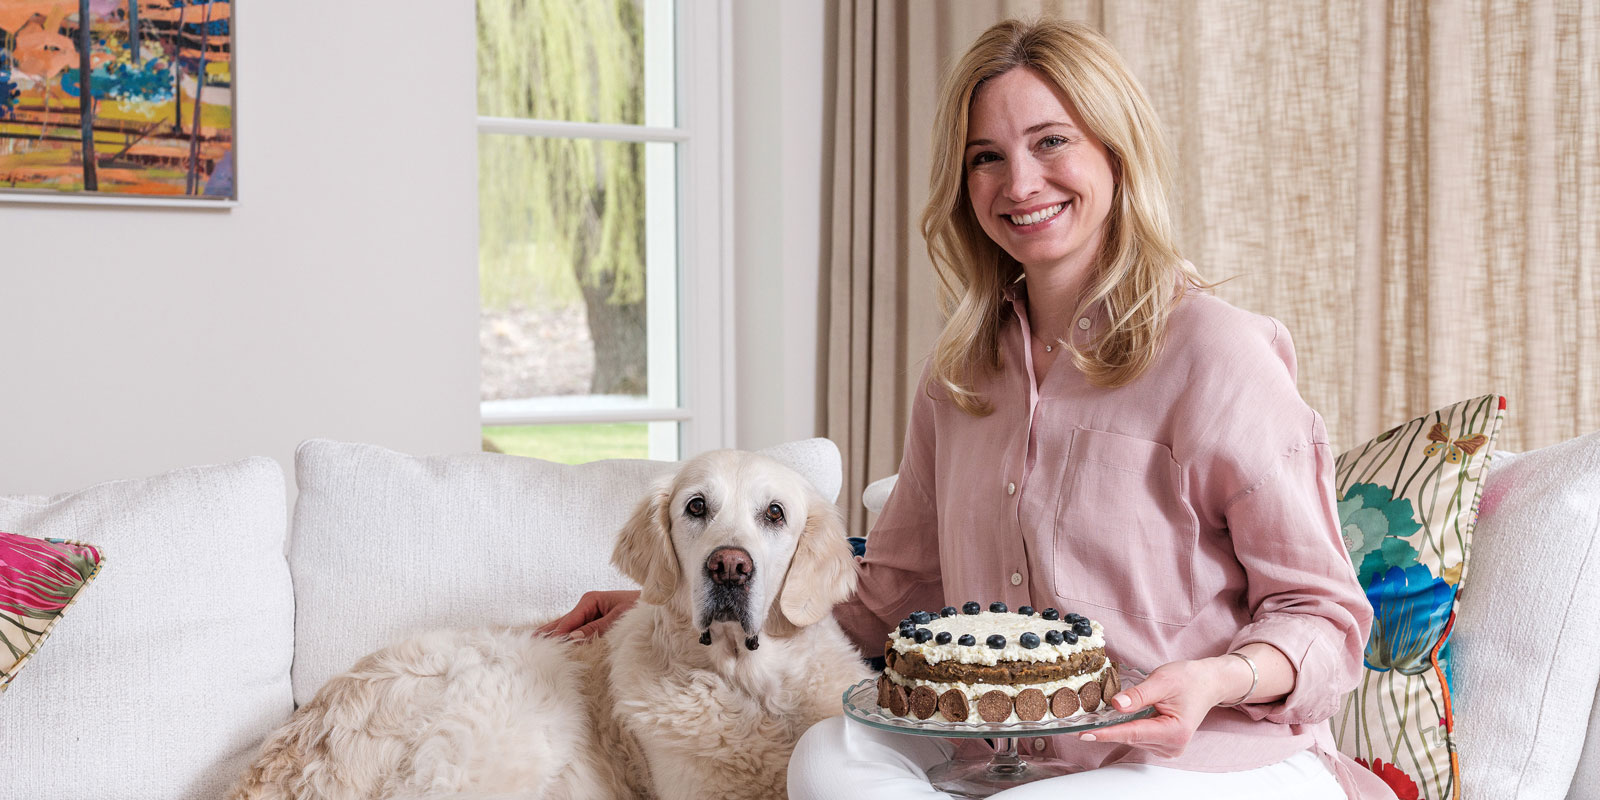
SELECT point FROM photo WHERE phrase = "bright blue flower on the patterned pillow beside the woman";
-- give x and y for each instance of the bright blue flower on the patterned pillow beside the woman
(1410, 610)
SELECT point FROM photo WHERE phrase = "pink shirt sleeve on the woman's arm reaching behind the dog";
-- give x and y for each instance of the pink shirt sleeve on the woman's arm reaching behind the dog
(900, 570)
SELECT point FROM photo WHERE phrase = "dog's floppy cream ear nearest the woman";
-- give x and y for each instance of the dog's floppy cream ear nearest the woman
(823, 570)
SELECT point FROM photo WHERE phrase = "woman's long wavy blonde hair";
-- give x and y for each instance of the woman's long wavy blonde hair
(1138, 266)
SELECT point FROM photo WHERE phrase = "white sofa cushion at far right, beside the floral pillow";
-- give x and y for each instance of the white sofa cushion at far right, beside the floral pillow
(1527, 644)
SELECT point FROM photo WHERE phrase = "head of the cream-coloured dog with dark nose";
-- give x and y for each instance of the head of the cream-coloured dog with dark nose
(738, 538)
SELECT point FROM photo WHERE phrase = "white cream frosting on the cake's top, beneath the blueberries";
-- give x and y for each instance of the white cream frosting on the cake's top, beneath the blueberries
(1009, 625)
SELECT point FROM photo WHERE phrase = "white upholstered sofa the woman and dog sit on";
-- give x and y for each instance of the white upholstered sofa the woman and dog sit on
(214, 615)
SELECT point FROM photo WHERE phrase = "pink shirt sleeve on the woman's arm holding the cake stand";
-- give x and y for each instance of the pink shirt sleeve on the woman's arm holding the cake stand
(1265, 474)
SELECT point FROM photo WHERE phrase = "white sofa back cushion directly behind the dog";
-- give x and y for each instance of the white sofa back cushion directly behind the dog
(388, 545)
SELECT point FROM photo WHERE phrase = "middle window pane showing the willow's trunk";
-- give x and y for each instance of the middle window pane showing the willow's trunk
(578, 268)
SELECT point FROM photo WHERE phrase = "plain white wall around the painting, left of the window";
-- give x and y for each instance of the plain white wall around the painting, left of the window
(338, 300)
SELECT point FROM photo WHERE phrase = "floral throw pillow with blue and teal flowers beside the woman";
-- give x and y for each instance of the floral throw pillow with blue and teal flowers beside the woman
(1407, 503)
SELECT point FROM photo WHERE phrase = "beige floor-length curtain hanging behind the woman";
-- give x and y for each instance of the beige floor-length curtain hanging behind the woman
(1412, 188)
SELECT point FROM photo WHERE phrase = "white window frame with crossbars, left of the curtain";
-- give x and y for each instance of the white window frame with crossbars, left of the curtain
(705, 316)
